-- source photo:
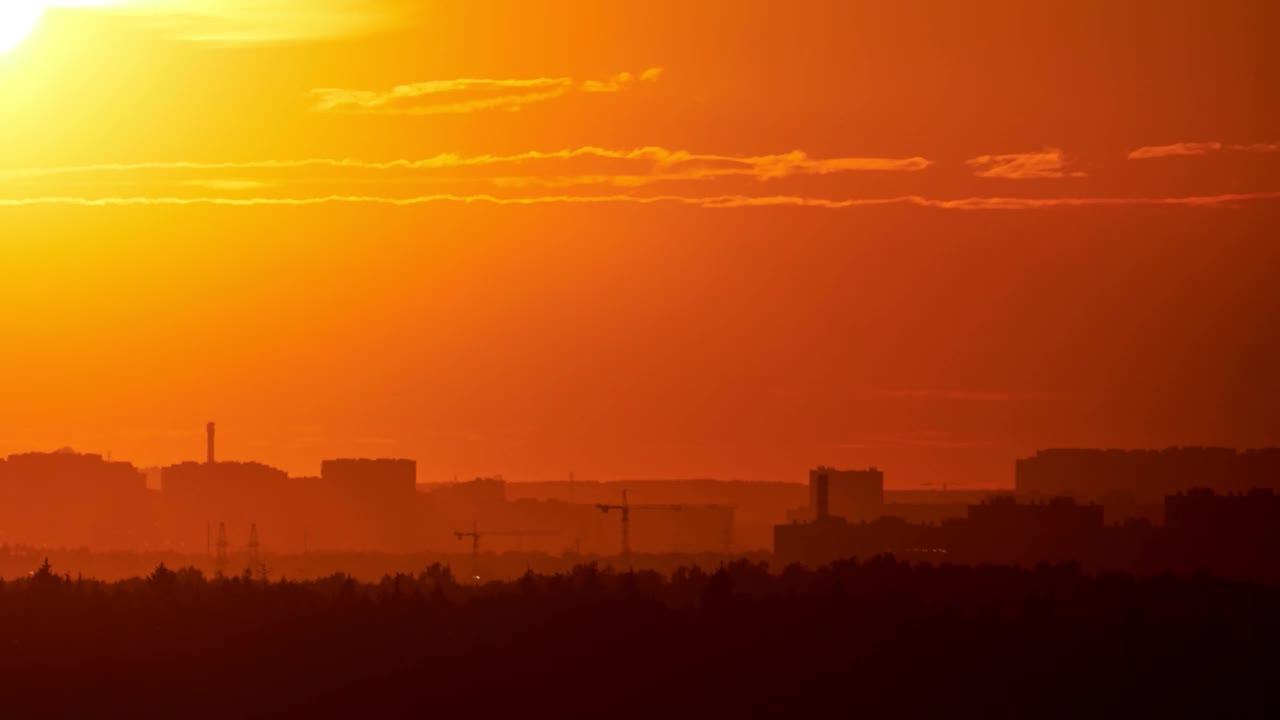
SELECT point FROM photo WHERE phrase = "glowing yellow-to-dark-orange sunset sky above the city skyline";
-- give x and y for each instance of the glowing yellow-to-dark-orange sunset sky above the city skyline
(641, 240)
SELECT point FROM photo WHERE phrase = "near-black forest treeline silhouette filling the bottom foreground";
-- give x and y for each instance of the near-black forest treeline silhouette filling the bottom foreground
(877, 637)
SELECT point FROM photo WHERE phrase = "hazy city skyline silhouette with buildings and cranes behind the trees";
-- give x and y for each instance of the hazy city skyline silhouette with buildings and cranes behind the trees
(1137, 511)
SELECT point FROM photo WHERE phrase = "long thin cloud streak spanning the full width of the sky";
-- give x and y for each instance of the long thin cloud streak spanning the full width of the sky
(721, 202)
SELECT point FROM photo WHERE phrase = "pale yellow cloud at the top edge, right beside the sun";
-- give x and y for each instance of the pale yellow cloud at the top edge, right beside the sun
(258, 22)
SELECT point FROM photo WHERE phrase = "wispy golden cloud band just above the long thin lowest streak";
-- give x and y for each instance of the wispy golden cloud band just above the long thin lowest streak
(561, 168)
